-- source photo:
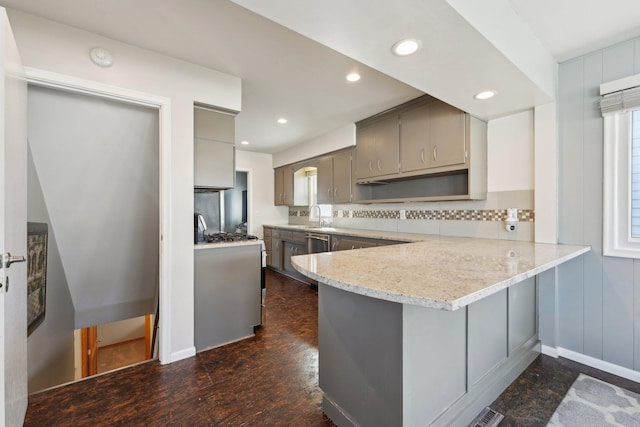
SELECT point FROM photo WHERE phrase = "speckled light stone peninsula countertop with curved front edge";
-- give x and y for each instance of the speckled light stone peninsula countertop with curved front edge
(445, 273)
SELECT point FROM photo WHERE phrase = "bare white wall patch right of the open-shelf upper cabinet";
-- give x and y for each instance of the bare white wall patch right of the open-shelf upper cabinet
(510, 153)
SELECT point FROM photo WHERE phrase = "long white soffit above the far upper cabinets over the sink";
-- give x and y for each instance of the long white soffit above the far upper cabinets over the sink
(342, 137)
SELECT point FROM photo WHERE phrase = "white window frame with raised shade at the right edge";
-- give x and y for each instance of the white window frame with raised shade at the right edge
(621, 97)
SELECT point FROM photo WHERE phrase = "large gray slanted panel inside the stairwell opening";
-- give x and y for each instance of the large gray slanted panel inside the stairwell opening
(98, 165)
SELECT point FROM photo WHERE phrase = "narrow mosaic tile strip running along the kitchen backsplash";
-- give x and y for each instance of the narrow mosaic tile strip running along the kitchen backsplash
(525, 215)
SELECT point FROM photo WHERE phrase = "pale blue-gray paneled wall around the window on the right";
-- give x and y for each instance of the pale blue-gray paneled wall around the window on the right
(598, 297)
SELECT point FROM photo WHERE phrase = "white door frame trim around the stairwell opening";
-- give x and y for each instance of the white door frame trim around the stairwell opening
(52, 80)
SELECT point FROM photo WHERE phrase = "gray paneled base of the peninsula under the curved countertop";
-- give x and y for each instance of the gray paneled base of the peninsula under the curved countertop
(383, 363)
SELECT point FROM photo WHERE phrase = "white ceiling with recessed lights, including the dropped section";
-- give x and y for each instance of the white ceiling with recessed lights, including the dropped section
(286, 73)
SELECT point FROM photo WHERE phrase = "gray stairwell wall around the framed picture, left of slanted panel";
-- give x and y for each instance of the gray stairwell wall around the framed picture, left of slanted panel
(50, 347)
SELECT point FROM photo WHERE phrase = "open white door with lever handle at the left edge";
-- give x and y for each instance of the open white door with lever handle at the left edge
(13, 231)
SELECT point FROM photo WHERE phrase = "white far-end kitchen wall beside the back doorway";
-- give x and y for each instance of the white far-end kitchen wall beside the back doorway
(260, 187)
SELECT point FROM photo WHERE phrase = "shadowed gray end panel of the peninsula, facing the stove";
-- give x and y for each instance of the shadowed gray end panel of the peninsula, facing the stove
(360, 358)
